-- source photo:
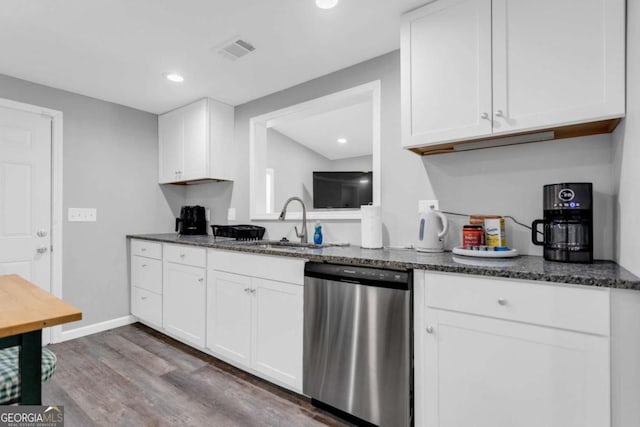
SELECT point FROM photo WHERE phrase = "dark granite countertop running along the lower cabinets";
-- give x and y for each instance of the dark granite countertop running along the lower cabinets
(526, 267)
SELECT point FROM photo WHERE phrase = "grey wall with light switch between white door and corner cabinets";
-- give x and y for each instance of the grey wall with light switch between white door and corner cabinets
(110, 163)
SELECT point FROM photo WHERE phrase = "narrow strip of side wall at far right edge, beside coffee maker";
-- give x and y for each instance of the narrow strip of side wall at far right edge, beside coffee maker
(626, 154)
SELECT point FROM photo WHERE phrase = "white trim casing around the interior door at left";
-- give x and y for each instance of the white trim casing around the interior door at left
(56, 194)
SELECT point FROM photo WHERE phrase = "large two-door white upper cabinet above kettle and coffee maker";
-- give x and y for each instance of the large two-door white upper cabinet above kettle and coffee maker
(474, 69)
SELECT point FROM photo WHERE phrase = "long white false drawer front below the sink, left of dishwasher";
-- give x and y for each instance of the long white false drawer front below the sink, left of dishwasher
(279, 268)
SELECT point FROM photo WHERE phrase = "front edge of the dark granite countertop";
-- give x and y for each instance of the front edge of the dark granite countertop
(561, 278)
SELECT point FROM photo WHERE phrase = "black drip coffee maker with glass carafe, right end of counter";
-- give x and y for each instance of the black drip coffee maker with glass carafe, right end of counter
(568, 222)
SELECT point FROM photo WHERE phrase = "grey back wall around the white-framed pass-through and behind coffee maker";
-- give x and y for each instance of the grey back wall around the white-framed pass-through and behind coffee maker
(505, 180)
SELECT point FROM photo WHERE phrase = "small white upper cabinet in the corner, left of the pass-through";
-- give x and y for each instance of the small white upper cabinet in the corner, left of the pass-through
(195, 142)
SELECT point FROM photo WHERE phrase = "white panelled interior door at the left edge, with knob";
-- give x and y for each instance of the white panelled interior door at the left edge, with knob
(25, 197)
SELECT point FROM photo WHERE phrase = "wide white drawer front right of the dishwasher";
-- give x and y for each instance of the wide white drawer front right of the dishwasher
(560, 306)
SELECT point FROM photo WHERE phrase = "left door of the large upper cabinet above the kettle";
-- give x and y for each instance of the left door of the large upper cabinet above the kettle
(446, 72)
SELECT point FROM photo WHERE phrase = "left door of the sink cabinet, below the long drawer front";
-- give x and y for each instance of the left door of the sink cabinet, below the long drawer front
(229, 316)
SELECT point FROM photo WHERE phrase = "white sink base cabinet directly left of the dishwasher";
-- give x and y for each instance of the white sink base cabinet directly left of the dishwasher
(256, 322)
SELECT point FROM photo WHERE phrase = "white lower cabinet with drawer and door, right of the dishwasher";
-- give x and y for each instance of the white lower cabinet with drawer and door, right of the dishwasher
(483, 359)
